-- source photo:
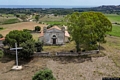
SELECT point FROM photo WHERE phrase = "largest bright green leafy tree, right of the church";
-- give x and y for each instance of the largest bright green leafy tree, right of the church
(87, 28)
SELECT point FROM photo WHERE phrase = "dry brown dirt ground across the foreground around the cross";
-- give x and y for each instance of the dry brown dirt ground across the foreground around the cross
(93, 67)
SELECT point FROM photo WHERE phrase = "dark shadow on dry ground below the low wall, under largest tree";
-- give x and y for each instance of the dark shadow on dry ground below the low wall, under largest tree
(72, 59)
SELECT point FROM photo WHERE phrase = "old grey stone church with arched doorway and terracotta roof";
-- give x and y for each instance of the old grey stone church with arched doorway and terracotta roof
(54, 36)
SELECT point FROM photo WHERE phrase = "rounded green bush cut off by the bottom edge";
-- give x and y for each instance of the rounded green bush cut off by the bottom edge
(44, 75)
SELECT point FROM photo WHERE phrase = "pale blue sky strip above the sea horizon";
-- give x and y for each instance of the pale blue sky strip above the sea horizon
(61, 2)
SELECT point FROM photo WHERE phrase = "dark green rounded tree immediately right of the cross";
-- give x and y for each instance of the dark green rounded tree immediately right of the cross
(28, 49)
